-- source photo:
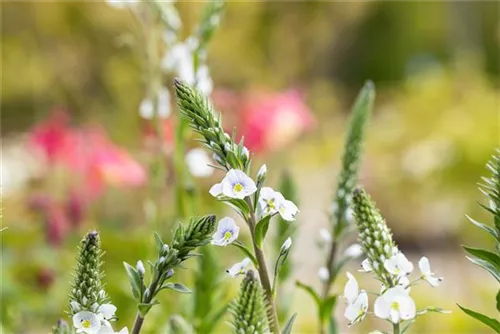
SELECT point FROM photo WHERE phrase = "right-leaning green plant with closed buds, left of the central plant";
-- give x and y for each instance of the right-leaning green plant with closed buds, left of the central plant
(185, 240)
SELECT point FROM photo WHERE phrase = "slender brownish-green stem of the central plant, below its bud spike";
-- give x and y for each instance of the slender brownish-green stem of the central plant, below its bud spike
(263, 273)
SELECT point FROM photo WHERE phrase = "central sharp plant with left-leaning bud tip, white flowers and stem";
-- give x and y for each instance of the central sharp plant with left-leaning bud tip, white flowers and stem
(251, 200)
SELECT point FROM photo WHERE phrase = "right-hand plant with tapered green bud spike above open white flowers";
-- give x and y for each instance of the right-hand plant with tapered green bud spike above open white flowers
(390, 267)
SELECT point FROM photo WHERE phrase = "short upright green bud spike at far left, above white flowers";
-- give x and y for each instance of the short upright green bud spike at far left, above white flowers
(87, 289)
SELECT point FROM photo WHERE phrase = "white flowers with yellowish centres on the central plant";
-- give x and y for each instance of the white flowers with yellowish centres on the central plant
(236, 185)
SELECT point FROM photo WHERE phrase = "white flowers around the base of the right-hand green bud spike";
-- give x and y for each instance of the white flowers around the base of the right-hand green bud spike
(394, 303)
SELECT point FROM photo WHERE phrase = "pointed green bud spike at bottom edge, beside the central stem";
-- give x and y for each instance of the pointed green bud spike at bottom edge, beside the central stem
(249, 309)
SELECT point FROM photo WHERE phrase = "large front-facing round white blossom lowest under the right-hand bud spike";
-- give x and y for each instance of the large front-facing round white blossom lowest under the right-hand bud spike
(395, 305)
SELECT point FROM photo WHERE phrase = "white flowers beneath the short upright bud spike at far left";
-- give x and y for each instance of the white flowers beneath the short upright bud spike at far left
(96, 320)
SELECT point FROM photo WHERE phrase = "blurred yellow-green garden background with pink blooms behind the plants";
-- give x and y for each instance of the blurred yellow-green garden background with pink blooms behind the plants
(79, 66)
